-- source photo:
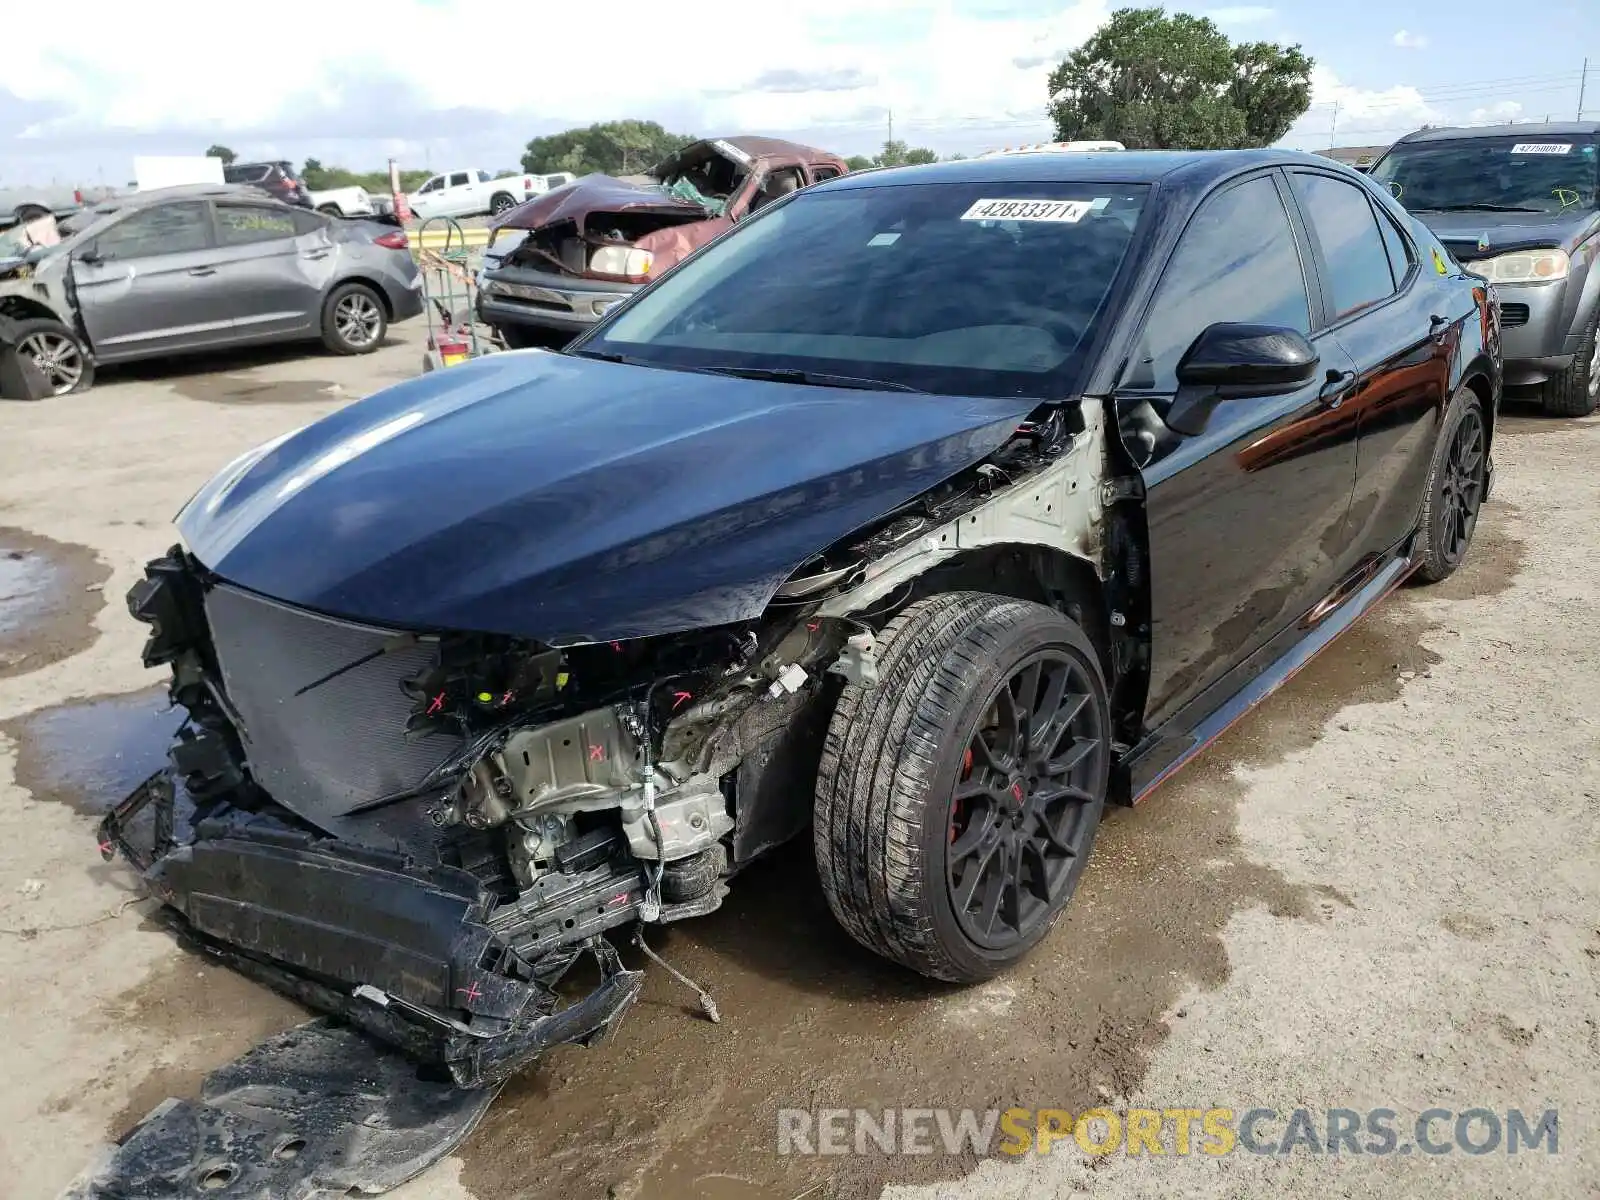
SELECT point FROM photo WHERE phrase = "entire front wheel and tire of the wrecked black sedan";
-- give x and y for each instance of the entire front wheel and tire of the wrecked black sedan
(958, 801)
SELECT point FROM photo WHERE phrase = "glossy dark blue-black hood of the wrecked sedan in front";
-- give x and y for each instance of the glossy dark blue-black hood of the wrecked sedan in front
(570, 500)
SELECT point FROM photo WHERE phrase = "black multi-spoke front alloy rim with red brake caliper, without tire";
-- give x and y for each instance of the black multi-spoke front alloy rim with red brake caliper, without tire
(1022, 807)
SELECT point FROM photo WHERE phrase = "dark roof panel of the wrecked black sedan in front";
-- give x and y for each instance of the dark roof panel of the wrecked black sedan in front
(1196, 169)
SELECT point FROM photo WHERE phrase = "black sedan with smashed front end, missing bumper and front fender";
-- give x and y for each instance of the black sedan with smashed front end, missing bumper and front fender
(930, 511)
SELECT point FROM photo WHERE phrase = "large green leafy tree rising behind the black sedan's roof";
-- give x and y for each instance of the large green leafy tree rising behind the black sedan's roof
(1175, 82)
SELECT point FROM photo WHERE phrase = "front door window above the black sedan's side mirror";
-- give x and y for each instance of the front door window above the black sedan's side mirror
(1238, 263)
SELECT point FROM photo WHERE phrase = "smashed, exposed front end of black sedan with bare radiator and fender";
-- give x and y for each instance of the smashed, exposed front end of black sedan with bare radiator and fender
(423, 833)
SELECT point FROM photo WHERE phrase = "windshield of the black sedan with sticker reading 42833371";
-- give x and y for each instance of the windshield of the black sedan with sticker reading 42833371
(958, 289)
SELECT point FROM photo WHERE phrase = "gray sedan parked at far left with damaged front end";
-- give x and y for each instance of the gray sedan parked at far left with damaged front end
(199, 270)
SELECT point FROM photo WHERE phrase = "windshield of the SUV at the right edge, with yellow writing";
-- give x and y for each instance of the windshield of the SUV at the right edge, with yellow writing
(1545, 175)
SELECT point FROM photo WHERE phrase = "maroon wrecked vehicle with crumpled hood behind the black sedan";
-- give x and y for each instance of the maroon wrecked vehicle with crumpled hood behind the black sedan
(561, 262)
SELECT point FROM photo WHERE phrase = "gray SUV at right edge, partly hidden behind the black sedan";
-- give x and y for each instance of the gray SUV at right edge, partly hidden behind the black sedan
(1518, 206)
